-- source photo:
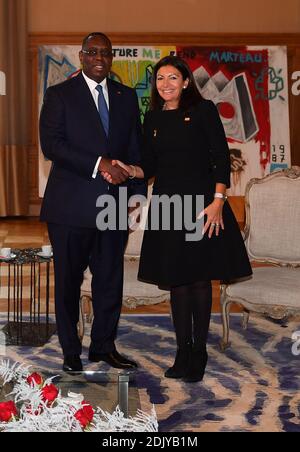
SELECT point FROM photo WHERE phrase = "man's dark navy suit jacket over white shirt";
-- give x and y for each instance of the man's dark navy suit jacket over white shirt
(73, 138)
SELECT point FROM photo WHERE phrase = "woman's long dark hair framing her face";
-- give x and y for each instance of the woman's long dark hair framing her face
(189, 97)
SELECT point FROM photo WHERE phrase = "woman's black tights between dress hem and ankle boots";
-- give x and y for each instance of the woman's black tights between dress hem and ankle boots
(191, 310)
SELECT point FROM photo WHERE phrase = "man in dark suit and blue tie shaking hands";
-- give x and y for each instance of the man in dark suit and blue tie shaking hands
(86, 122)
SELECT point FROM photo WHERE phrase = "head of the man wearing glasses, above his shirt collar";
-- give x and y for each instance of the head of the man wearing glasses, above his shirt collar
(96, 58)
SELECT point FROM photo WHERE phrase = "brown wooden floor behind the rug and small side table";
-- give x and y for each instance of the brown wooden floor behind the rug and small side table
(30, 233)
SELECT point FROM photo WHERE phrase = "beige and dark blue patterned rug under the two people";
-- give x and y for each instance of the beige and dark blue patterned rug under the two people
(253, 387)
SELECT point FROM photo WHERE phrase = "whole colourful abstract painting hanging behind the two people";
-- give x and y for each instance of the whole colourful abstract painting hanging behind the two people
(249, 86)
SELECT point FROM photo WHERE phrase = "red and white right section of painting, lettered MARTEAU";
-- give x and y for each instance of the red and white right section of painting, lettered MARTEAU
(249, 86)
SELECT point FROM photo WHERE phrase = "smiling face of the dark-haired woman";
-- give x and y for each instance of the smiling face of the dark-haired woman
(170, 83)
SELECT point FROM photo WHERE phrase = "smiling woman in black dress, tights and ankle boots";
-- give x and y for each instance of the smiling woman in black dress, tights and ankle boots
(185, 149)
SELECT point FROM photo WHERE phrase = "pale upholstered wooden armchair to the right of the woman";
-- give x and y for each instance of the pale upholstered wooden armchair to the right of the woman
(272, 238)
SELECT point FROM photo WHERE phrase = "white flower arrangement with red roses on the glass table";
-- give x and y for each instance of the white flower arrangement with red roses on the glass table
(44, 409)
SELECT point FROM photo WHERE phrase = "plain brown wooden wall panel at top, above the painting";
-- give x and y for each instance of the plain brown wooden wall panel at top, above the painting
(264, 16)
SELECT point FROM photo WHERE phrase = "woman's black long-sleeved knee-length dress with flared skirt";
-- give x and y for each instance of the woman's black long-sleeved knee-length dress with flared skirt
(188, 153)
